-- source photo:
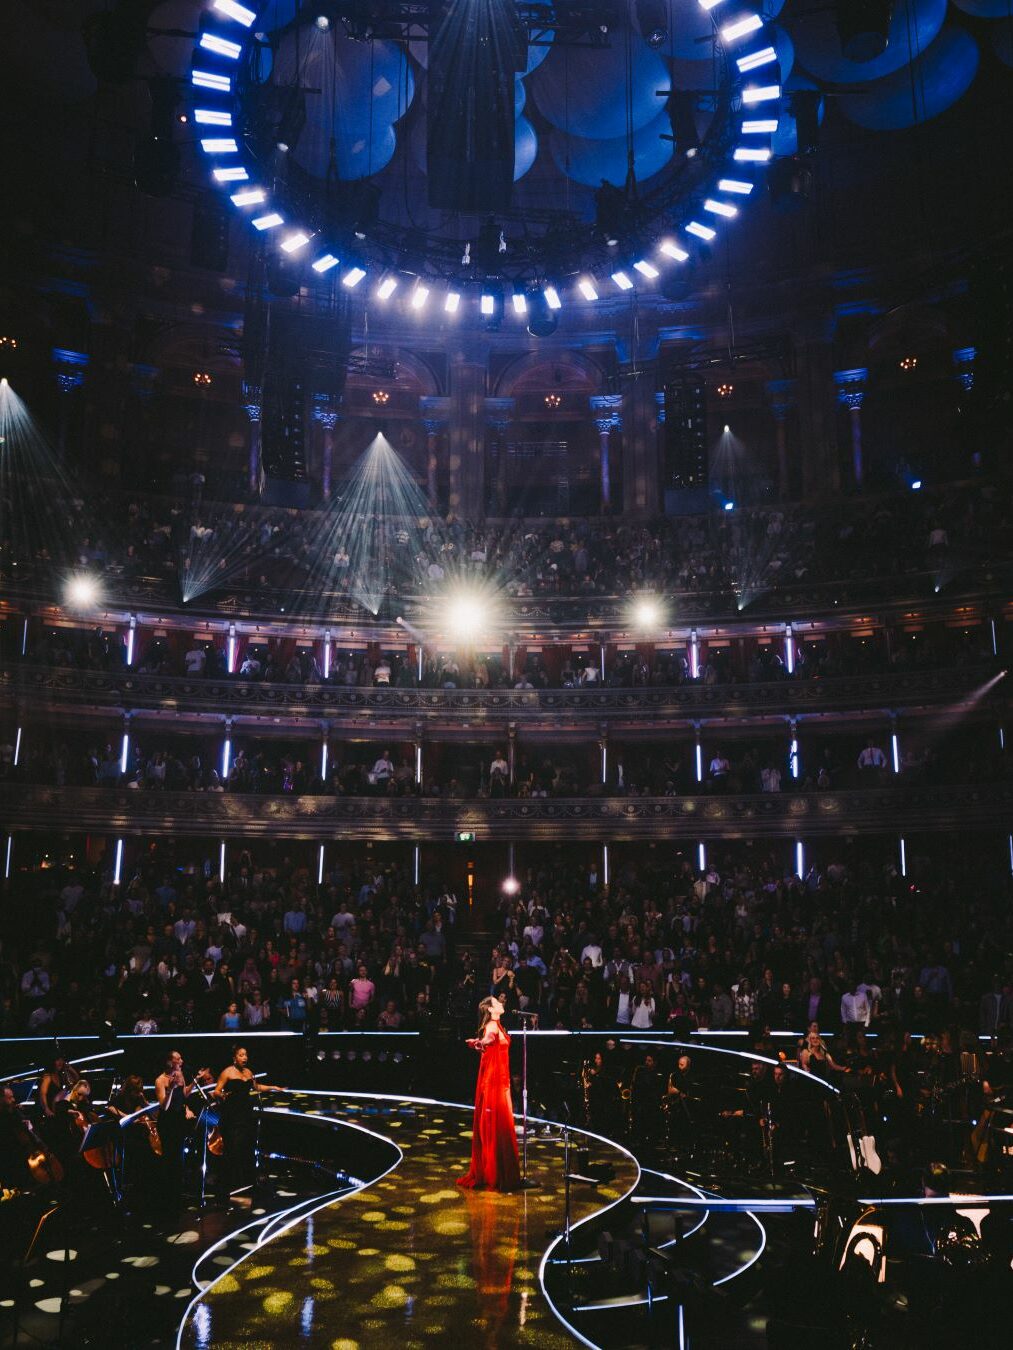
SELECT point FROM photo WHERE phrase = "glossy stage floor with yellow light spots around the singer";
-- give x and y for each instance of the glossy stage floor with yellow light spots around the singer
(410, 1262)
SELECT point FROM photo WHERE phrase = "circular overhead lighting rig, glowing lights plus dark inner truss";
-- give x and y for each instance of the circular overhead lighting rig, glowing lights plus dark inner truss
(663, 226)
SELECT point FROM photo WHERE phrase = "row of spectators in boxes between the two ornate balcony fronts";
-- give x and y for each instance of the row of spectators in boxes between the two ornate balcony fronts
(937, 755)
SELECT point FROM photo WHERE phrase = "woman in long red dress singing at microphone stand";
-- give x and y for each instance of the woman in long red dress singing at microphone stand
(494, 1139)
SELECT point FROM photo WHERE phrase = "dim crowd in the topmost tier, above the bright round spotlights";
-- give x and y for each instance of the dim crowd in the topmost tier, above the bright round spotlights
(735, 557)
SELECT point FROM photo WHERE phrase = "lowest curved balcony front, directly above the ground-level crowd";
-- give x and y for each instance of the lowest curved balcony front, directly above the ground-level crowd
(419, 820)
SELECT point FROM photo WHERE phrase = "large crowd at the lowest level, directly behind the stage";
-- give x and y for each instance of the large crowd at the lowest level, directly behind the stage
(744, 944)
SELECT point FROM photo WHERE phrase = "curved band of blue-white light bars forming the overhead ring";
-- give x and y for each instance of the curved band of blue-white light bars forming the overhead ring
(226, 40)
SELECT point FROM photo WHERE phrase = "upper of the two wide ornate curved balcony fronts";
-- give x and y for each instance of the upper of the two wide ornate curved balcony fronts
(43, 685)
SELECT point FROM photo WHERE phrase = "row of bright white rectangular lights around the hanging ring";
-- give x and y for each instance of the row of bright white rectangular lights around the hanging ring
(211, 78)
